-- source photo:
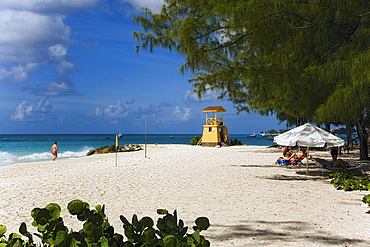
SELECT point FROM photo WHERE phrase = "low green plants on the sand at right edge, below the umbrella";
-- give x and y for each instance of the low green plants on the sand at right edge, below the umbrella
(344, 180)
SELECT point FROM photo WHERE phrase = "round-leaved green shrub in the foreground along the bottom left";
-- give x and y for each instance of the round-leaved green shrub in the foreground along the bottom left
(97, 231)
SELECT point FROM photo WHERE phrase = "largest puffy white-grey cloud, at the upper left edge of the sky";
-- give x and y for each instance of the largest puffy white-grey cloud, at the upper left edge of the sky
(26, 35)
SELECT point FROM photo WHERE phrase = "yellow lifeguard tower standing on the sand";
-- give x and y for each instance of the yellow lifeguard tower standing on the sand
(214, 131)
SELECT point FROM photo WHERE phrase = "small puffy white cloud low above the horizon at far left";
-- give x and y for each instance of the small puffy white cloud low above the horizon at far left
(25, 112)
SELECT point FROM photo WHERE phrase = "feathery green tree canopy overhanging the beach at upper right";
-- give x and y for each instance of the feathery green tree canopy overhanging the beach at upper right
(300, 60)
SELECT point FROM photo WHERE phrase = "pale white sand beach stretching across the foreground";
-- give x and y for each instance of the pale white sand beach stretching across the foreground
(248, 199)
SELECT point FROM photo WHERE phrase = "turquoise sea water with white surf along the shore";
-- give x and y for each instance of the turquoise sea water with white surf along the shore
(28, 148)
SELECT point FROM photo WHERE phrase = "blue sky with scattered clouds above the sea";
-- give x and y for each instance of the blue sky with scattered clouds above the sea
(70, 66)
